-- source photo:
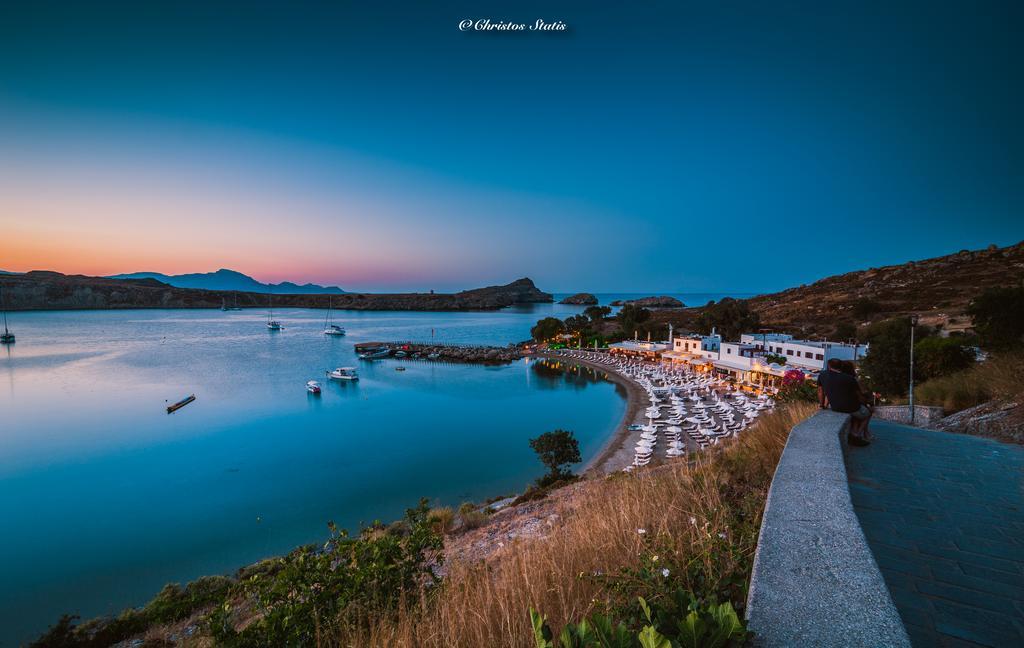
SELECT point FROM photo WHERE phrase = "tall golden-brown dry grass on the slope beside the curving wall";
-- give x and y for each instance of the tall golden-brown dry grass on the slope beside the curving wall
(684, 509)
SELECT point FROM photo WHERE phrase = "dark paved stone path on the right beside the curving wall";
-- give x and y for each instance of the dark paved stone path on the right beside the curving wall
(945, 516)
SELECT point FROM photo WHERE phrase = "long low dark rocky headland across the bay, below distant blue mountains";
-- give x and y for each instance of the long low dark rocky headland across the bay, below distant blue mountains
(53, 291)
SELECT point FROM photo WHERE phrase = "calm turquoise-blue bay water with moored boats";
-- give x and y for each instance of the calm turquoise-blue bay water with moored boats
(105, 498)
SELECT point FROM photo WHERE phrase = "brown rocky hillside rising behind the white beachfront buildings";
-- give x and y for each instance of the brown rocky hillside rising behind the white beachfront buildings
(937, 289)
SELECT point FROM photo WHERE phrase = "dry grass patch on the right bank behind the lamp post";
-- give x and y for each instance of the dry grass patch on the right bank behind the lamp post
(1000, 377)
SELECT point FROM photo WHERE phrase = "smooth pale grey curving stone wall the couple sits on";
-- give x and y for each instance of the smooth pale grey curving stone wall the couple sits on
(816, 582)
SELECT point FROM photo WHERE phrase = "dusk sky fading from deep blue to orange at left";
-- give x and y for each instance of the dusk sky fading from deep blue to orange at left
(652, 147)
